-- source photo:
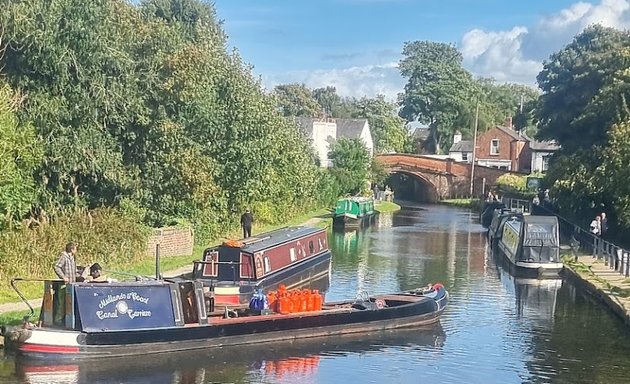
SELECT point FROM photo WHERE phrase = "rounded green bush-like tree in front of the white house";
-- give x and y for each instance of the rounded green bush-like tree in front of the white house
(351, 164)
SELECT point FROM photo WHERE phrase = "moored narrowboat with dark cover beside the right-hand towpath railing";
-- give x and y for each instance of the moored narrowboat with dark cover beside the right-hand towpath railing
(531, 246)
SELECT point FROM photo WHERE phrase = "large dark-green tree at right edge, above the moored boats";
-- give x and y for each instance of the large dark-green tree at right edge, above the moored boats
(572, 109)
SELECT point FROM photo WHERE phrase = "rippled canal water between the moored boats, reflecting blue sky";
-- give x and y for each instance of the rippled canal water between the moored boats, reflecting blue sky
(497, 329)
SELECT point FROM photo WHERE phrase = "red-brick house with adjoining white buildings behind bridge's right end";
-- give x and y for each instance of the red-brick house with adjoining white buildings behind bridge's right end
(504, 148)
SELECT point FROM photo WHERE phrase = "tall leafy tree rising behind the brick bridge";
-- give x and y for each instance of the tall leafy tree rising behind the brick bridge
(438, 88)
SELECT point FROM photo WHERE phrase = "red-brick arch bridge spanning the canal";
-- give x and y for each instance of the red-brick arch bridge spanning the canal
(437, 179)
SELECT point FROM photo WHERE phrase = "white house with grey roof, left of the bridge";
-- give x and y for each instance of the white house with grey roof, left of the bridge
(324, 131)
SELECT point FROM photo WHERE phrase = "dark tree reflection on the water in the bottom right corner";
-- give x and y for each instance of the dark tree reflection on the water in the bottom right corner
(584, 344)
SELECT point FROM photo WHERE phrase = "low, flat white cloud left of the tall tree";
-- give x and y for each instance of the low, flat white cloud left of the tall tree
(357, 81)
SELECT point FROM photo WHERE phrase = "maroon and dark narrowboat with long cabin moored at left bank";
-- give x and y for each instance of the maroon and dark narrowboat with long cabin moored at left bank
(293, 256)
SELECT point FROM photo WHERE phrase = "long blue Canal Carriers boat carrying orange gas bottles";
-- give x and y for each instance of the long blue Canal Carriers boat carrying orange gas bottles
(125, 319)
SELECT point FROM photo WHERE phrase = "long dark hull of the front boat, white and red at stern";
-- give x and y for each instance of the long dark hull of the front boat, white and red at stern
(334, 320)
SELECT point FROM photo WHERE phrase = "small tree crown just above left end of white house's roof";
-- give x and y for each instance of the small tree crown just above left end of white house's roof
(296, 100)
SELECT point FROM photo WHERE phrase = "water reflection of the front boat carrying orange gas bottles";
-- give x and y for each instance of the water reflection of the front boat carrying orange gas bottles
(272, 361)
